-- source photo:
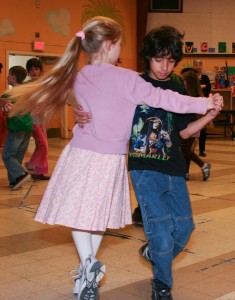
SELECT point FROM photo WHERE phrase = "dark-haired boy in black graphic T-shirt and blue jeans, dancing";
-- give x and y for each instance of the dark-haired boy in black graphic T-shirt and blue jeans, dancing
(157, 166)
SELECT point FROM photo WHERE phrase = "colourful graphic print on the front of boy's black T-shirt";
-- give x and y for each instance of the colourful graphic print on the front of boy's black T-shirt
(151, 134)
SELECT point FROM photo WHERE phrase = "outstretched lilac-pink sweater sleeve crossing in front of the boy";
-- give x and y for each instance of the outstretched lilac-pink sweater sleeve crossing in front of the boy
(138, 91)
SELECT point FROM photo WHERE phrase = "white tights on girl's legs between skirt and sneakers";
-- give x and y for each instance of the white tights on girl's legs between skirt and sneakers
(87, 242)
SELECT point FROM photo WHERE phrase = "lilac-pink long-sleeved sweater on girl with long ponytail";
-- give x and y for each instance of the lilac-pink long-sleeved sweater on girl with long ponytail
(111, 95)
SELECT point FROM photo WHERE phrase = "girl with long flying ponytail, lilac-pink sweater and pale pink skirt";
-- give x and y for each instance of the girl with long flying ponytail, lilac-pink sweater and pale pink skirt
(89, 189)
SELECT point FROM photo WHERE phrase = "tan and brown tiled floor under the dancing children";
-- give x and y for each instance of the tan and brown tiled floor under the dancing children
(36, 259)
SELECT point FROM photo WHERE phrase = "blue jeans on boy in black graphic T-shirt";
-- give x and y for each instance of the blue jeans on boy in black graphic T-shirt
(167, 218)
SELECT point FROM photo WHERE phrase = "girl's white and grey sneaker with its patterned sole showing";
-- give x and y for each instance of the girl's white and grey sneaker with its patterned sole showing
(92, 273)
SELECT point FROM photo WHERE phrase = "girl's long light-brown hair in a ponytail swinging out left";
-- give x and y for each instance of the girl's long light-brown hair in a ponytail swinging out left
(50, 92)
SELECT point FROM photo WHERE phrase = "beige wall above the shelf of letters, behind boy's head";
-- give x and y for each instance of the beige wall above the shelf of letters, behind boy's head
(209, 21)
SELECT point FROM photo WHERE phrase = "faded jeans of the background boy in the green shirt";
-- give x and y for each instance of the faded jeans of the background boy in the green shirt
(15, 146)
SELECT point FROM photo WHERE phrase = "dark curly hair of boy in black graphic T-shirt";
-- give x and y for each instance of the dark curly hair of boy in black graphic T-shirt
(160, 42)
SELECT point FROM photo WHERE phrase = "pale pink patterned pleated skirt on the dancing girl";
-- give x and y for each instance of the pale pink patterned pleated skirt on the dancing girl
(87, 191)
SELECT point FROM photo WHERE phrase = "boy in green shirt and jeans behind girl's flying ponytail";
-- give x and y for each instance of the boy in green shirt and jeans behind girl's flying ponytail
(18, 136)
